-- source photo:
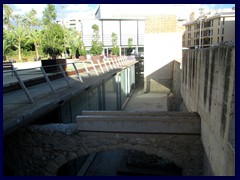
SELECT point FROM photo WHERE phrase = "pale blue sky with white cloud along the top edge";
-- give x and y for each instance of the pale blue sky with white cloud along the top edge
(85, 10)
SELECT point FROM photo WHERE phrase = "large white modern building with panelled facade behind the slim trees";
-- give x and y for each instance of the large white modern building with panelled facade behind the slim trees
(126, 21)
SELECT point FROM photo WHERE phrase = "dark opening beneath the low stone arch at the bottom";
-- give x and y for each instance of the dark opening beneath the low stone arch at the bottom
(120, 163)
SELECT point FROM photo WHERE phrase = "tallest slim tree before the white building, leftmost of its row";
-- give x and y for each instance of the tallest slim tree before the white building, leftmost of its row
(97, 46)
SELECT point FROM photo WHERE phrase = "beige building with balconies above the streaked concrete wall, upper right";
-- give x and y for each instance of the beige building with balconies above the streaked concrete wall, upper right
(209, 29)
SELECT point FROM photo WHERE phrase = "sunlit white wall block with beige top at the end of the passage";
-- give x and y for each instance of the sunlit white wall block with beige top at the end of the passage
(162, 38)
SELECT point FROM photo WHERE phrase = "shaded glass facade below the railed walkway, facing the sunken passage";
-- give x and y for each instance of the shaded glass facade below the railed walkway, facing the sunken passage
(111, 95)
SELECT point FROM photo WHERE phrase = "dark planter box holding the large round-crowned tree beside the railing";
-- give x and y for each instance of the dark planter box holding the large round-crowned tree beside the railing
(51, 62)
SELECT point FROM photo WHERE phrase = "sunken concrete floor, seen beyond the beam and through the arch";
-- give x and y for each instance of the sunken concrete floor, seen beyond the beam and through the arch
(107, 163)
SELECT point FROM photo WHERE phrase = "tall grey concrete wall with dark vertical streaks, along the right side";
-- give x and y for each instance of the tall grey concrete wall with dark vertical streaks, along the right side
(208, 87)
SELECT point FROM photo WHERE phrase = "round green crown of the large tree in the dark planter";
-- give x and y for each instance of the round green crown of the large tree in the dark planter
(53, 40)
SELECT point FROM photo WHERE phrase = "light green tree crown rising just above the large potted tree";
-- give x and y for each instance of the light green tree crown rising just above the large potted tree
(49, 15)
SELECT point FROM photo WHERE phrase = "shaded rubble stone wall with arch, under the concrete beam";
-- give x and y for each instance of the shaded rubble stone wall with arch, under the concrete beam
(43, 149)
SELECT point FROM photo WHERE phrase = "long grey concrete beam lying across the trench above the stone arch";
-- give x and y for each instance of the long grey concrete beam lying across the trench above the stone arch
(139, 122)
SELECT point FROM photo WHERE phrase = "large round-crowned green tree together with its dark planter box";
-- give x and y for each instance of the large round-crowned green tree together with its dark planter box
(53, 46)
